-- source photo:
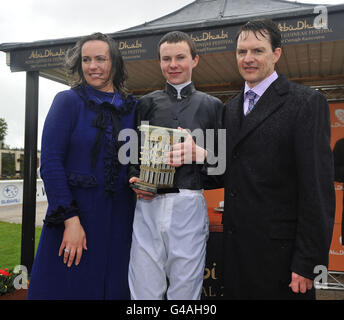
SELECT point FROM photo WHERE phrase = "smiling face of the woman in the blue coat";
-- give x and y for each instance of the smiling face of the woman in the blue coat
(96, 65)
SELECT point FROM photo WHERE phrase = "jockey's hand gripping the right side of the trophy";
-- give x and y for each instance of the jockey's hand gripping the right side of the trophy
(186, 152)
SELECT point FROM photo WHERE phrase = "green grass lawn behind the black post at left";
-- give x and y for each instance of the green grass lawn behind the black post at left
(10, 244)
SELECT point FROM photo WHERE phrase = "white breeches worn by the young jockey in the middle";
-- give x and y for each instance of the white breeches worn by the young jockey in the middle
(169, 242)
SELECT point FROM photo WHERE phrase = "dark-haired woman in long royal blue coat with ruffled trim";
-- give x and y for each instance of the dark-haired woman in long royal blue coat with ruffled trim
(84, 247)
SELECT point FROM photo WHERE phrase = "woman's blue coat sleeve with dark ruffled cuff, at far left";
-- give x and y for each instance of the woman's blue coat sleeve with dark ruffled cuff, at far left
(57, 131)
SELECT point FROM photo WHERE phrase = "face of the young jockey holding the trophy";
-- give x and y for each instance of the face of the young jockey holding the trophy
(176, 62)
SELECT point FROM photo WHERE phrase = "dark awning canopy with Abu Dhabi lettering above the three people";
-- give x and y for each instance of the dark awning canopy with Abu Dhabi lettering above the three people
(311, 56)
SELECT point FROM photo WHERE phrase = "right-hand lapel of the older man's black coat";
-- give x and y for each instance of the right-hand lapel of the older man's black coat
(272, 99)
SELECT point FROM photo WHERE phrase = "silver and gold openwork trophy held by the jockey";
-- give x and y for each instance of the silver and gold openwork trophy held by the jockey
(156, 175)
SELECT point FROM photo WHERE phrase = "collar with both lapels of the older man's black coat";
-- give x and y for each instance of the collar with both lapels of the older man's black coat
(272, 99)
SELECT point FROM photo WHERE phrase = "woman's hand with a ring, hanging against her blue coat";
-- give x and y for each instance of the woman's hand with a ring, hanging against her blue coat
(73, 242)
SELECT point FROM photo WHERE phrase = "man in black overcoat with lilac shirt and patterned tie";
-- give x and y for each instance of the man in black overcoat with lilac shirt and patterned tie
(279, 192)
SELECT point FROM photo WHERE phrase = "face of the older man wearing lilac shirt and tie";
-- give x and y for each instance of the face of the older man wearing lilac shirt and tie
(255, 58)
